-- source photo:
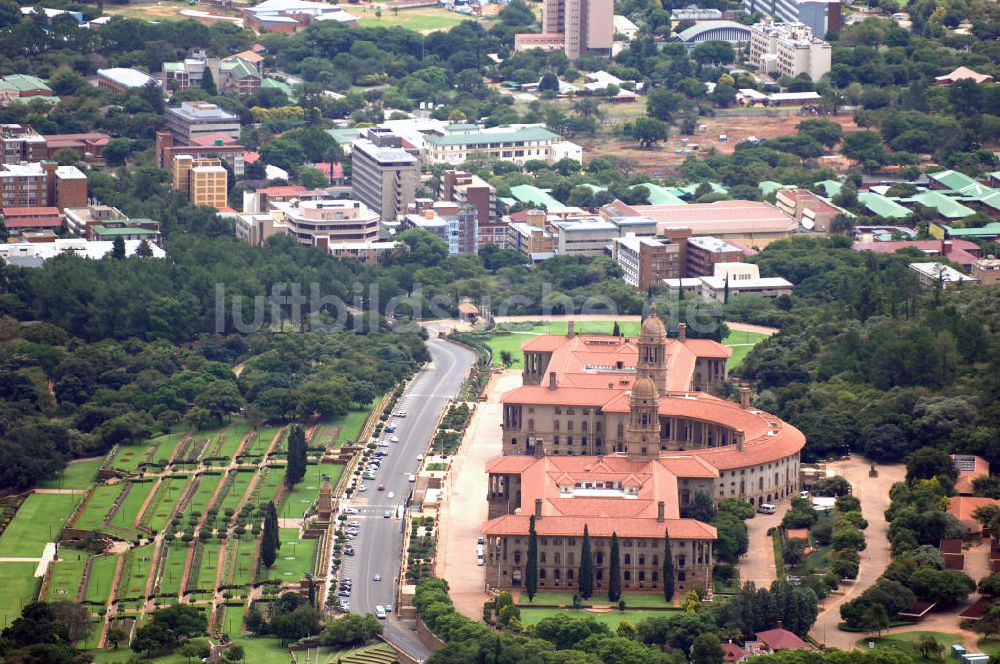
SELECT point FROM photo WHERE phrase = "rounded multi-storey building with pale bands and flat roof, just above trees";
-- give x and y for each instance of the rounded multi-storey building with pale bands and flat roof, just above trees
(323, 224)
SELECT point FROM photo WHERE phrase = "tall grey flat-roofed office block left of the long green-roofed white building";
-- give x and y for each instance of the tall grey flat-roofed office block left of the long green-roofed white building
(384, 176)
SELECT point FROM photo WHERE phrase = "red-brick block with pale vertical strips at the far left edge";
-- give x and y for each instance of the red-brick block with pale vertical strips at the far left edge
(42, 184)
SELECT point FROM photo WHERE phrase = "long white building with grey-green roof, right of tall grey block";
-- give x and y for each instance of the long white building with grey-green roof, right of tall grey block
(519, 144)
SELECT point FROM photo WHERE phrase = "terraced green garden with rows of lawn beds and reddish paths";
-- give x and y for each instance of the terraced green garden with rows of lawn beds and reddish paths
(179, 497)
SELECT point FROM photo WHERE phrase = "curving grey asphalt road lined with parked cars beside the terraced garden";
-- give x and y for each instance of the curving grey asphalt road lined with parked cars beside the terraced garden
(380, 543)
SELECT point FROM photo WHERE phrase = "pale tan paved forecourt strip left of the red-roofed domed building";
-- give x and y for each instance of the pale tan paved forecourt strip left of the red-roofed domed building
(464, 506)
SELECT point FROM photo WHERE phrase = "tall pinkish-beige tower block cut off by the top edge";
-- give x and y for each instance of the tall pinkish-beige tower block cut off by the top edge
(587, 26)
